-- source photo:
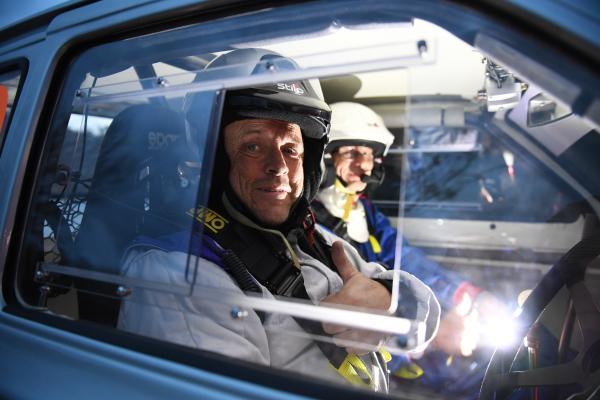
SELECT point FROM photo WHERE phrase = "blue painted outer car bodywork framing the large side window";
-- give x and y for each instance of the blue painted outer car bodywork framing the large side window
(43, 356)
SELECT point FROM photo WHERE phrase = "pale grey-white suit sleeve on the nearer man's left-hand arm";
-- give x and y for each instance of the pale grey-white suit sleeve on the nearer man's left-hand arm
(198, 320)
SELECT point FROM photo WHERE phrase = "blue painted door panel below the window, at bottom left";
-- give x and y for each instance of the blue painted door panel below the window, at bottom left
(40, 362)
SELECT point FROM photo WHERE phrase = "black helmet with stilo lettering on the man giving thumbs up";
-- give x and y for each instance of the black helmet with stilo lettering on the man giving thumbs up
(299, 102)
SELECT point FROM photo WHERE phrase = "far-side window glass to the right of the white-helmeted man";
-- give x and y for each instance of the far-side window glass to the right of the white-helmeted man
(471, 172)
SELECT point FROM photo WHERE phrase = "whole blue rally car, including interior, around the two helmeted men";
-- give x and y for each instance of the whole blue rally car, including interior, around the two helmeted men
(493, 174)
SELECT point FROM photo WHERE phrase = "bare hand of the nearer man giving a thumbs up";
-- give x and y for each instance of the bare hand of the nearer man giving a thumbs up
(358, 291)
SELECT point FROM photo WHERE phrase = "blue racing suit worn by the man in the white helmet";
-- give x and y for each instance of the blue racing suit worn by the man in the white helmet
(433, 369)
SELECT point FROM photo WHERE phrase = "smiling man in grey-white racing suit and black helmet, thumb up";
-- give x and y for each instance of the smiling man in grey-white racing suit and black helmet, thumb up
(267, 170)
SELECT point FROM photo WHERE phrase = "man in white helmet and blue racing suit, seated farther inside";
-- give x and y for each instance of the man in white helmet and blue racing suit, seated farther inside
(358, 142)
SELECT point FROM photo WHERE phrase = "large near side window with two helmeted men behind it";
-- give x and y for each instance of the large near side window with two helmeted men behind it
(167, 198)
